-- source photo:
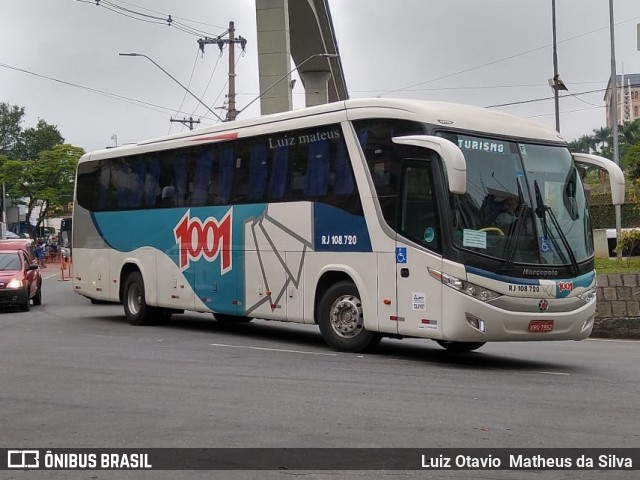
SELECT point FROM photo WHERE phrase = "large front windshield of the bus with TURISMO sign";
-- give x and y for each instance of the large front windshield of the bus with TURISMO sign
(524, 203)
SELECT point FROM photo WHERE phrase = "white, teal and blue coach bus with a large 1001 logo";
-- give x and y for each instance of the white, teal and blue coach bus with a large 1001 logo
(369, 218)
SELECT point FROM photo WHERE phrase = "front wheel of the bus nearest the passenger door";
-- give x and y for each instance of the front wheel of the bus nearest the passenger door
(341, 320)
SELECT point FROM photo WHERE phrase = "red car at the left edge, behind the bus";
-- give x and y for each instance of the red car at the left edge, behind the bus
(20, 280)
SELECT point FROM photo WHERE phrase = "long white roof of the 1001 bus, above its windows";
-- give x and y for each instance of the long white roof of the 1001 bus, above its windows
(452, 115)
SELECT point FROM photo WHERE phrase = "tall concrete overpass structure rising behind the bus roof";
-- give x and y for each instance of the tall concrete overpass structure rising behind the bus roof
(298, 30)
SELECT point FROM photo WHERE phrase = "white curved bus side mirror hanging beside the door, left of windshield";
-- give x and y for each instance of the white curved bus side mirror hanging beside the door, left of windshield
(452, 158)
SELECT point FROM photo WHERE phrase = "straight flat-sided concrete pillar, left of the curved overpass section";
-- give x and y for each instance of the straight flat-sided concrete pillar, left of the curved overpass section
(274, 55)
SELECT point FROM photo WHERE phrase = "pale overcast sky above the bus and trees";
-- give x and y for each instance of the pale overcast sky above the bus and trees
(481, 52)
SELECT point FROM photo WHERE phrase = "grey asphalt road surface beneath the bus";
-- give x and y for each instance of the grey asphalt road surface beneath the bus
(77, 375)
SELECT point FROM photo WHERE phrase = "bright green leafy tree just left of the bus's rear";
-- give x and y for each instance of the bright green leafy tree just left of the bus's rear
(46, 182)
